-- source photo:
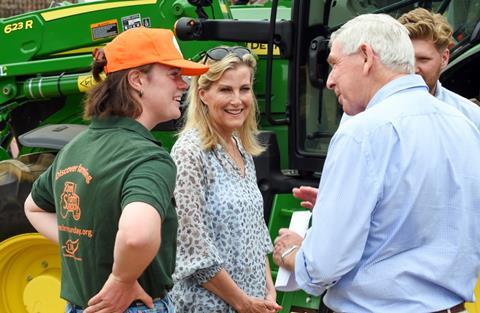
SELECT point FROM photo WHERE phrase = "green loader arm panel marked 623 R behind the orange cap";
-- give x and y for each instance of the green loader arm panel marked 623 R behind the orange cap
(74, 27)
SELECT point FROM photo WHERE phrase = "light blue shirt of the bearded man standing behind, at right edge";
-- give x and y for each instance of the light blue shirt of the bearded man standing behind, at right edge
(467, 107)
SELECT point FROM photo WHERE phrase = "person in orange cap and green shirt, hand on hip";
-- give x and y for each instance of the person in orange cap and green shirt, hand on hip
(107, 198)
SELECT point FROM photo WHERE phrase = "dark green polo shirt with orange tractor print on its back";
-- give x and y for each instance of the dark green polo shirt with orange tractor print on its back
(113, 163)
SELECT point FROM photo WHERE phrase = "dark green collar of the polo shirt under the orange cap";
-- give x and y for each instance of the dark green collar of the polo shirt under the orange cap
(124, 123)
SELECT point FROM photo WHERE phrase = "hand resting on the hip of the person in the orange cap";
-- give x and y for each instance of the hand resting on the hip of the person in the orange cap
(116, 296)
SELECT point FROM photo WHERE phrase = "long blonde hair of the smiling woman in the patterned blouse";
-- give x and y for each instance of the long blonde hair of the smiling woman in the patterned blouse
(197, 116)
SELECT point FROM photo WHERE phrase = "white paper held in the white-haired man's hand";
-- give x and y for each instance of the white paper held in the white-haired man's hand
(299, 223)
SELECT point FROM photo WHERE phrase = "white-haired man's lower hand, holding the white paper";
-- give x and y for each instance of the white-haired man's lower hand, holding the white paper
(286, 239)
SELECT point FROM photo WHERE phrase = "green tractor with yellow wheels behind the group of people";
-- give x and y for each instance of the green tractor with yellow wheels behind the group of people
(45, 59)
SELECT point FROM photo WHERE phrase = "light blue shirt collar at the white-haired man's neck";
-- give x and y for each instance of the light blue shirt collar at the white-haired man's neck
(396, 85)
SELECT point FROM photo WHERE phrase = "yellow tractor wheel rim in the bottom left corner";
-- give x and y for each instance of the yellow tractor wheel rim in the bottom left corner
(30, 275)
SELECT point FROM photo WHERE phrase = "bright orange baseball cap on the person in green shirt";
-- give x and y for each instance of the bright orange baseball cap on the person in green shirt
(140, 46)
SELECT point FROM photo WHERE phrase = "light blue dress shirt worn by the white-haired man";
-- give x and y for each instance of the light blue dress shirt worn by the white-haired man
(396, 224)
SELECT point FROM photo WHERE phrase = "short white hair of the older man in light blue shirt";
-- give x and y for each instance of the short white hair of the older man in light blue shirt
(386, 36)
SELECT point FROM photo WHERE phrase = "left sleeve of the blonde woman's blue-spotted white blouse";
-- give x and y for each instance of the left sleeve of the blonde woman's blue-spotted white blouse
(197, 256)
